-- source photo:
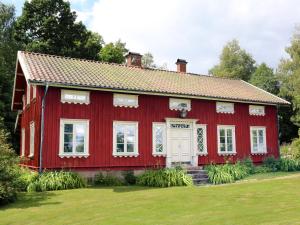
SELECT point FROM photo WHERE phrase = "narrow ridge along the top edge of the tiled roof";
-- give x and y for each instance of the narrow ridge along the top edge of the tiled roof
(124, 65)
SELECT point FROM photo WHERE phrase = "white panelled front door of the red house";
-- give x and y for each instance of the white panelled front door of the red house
(180, 145)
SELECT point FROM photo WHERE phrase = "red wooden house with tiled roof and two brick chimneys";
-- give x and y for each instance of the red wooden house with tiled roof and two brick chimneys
(89, 115)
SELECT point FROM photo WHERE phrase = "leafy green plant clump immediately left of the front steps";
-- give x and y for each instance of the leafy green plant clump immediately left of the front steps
(165, 178)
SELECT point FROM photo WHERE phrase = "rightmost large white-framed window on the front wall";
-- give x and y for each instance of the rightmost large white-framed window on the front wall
(258, 140)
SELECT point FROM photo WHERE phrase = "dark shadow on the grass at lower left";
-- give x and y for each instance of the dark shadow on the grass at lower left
(28, 200)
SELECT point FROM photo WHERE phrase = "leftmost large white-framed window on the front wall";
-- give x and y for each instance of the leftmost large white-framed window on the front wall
(74, 138)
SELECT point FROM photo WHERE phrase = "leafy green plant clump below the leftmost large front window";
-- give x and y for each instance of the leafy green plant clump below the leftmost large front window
(56, 180)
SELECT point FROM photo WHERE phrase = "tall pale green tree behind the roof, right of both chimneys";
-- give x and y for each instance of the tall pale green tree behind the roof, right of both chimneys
(234, 63)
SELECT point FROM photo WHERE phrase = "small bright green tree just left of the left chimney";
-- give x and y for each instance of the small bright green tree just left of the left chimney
(113, 52)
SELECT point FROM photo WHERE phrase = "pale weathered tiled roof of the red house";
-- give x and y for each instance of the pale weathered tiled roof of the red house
(57, 70)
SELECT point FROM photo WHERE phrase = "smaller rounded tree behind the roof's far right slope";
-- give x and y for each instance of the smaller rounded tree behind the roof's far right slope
(264, 78)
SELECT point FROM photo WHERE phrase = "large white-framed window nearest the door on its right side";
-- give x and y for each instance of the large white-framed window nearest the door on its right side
(226, 140)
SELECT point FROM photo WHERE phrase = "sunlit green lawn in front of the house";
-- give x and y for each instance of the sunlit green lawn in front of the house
(258, 200)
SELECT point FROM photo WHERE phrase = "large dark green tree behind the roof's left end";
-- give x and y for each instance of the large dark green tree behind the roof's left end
(49, 26)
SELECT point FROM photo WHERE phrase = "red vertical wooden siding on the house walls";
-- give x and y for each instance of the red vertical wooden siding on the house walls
(102, 113)
